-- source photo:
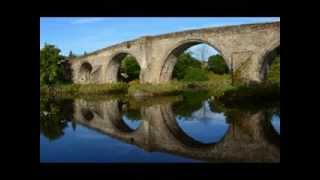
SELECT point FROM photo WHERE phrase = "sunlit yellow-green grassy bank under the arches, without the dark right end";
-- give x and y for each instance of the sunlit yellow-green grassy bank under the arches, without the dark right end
(216, 84)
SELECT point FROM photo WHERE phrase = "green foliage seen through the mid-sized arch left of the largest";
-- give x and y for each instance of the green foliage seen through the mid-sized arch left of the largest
(130, 67)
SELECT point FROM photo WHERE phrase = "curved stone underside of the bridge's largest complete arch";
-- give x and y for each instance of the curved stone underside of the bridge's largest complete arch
(170, 58)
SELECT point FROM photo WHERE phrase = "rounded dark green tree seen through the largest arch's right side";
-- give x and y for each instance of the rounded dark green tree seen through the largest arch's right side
(217, 64)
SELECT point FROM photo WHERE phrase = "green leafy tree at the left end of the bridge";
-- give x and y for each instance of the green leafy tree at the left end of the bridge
(51, 69)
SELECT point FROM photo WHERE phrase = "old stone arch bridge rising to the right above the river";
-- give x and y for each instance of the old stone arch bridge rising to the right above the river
(245, 48)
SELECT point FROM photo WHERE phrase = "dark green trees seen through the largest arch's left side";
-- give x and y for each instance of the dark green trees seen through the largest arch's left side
(184, 61)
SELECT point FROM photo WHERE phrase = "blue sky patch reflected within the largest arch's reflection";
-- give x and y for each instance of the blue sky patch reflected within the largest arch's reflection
(204, 125)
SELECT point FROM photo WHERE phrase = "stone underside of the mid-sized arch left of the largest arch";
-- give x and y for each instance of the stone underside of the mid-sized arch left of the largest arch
(112, 68)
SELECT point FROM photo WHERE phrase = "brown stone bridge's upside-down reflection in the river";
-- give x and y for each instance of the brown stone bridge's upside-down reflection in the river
(248, 136)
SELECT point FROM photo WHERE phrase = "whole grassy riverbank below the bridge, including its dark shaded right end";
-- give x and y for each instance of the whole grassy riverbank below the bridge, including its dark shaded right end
(217, 86)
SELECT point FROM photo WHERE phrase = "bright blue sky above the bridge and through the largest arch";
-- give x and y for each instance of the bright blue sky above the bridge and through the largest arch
(83, 34)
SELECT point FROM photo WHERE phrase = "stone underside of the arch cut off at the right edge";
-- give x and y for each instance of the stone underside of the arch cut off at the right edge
(266, 59)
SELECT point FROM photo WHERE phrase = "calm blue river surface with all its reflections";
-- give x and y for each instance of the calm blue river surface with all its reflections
(187, 128)
